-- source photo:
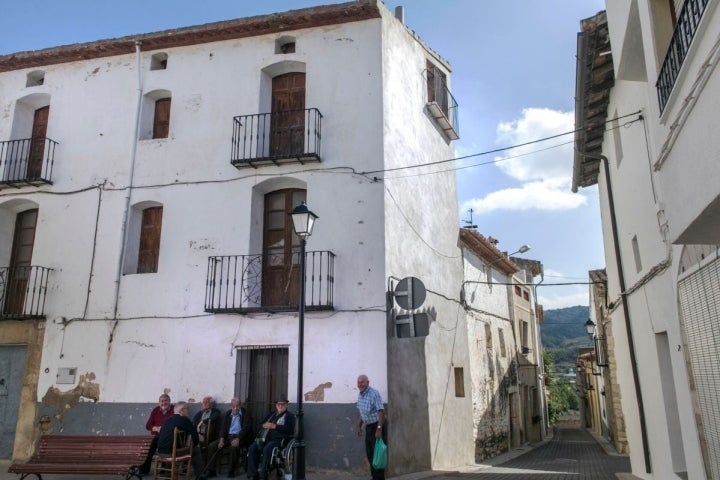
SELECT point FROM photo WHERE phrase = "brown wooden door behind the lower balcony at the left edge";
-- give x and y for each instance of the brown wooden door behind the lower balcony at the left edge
(20, 262)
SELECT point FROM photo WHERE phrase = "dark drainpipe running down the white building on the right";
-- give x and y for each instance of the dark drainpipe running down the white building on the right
(626, 311)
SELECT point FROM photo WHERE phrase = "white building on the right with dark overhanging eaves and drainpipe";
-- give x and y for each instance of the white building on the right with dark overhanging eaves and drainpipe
(647, 95)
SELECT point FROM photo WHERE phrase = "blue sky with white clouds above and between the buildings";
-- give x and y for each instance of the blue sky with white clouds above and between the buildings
(513, 76)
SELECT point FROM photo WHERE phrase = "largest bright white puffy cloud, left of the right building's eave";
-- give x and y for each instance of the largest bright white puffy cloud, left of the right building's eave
(545, 173)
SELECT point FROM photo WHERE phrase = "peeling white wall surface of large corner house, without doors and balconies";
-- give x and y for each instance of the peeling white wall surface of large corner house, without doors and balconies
(137, 335)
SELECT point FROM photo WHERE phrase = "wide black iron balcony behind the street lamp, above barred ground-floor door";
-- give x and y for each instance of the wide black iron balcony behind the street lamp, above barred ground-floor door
(268, 283)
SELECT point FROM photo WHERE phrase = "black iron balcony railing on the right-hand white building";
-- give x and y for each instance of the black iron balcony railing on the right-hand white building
(687, 24)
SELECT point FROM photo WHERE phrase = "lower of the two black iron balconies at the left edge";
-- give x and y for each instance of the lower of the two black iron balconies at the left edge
(22, 292)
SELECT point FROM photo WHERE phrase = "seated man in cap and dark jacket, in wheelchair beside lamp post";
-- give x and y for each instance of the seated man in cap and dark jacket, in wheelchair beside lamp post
(280, 425)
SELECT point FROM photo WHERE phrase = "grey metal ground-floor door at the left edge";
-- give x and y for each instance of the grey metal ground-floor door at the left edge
(12, 371)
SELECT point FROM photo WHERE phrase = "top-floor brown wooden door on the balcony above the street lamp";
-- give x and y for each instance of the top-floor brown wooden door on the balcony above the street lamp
(287, 123)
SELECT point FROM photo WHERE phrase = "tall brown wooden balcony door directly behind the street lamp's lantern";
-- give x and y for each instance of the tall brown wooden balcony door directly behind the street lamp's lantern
(281, 259)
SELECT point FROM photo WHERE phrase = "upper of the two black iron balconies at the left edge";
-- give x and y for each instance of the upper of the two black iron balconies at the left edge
(27, 161)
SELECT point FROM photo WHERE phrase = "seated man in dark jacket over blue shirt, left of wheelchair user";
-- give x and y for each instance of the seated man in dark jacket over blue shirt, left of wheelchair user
(236, 433)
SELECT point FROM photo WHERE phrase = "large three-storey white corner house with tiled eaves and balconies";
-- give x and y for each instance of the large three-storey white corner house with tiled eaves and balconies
(146, 246)
